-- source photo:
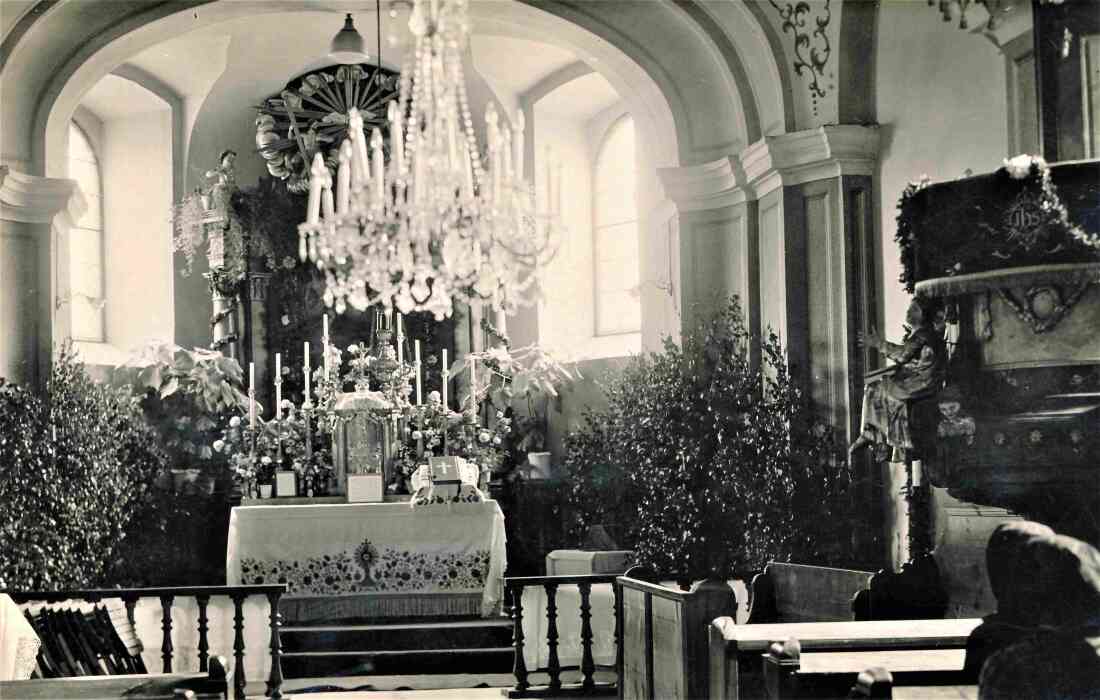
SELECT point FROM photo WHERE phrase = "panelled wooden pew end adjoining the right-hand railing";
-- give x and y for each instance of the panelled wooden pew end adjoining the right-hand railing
(664, 639)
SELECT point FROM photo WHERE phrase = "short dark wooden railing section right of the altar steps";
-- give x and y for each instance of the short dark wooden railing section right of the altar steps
(556, 687)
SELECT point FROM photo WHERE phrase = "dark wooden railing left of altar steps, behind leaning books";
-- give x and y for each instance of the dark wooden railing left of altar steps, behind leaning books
(202, 596)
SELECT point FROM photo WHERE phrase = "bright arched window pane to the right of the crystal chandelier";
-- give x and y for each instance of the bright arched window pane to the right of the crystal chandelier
(615, 233)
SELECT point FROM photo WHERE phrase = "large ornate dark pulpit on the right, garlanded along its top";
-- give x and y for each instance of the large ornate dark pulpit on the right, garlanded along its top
(1016, 257)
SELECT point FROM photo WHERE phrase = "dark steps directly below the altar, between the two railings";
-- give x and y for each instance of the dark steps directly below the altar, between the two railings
(394, 648)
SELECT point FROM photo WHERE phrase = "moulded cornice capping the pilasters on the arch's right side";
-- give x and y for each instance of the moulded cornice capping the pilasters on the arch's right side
(773, 162)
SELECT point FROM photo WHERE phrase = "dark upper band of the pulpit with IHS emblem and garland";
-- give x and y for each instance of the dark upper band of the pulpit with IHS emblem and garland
(966, 227)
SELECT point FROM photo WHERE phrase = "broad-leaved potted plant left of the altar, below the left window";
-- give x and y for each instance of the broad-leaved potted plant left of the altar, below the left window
(188, 397)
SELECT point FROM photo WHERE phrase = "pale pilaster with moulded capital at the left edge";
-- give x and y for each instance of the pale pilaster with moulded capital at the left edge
(36, 217)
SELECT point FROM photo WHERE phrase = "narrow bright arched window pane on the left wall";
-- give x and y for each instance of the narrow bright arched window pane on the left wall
(86, 243)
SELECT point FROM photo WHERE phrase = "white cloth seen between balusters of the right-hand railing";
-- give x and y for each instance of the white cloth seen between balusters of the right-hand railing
(570, 651)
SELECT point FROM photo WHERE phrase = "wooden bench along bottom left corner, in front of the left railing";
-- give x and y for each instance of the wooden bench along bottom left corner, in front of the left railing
(210, 686)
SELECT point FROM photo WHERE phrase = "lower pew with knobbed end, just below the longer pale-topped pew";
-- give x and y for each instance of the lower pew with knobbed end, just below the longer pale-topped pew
(794, 675)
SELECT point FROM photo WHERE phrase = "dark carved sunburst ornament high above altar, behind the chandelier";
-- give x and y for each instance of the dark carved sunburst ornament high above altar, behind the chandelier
(311, 116)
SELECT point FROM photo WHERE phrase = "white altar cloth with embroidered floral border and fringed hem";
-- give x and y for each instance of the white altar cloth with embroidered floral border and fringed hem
(372, 560)
